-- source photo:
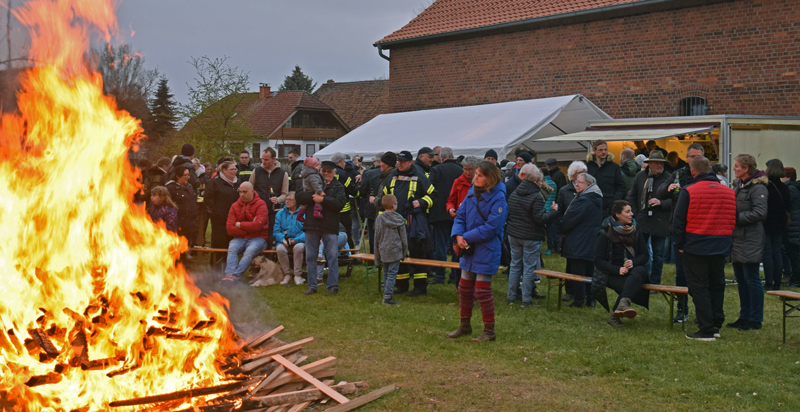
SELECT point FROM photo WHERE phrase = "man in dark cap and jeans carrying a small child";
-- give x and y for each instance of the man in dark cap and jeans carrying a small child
(325, 229)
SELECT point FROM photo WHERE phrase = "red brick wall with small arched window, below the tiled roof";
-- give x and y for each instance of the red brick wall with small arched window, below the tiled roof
(746, 54)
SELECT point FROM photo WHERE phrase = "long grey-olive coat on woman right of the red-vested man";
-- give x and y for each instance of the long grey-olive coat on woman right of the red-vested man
(749, 235)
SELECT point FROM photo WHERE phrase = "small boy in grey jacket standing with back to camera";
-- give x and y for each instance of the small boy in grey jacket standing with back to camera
(391, 244)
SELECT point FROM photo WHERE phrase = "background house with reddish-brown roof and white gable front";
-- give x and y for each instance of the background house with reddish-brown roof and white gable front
(290, 120)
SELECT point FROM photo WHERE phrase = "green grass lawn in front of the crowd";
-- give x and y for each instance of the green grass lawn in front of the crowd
(559, 360)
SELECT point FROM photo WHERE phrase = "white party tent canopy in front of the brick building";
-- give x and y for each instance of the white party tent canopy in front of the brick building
(472, 130)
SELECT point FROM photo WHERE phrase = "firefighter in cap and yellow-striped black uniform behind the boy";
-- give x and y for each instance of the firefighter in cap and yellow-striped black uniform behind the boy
(409, 184)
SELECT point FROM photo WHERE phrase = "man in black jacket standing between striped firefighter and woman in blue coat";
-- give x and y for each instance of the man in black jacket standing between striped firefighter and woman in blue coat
(442, 177)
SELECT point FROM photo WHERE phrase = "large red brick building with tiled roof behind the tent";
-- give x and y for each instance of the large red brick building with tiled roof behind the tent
(644, 58)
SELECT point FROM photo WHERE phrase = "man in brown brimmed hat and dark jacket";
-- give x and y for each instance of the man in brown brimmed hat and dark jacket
(651, 213)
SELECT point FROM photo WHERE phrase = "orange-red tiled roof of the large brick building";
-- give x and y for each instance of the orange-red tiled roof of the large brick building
(447, 16)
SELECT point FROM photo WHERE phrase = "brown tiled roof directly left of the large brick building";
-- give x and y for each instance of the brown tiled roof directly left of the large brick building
(356, 102)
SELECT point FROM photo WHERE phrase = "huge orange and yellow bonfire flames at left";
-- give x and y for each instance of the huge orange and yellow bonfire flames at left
(77, 257)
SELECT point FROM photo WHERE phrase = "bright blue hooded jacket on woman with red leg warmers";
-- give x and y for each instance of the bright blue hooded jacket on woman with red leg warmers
(482, 234)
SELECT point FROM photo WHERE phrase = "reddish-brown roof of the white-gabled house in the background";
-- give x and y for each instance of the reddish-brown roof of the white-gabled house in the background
(264, 116)
